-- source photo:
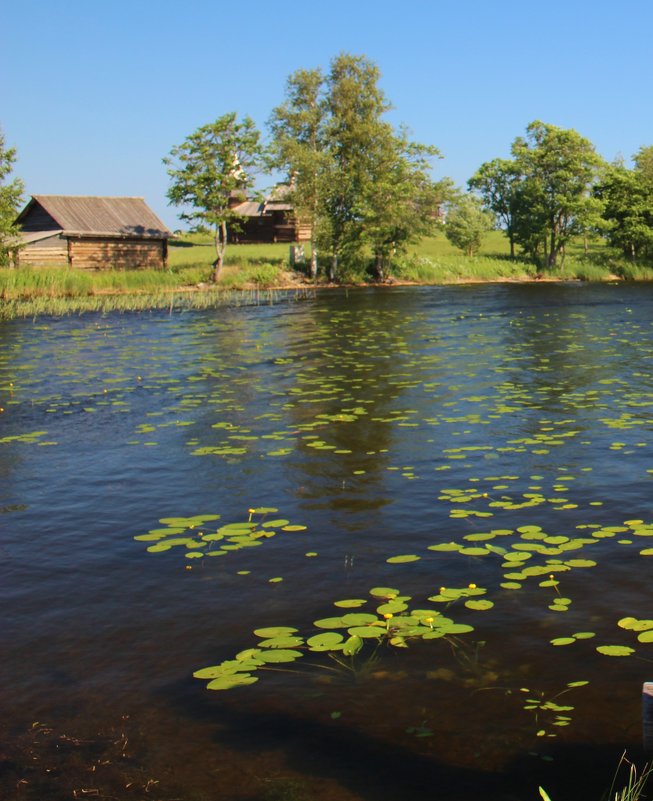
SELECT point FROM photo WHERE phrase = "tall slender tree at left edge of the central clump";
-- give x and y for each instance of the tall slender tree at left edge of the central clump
(298, 147)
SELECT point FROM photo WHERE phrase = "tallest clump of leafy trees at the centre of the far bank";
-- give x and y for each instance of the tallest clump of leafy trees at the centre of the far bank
(364, 186)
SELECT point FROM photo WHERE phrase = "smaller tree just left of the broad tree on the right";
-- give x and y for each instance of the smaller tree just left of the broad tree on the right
(498, 184)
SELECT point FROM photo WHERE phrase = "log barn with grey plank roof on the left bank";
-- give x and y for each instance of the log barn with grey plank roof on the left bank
(91, 233)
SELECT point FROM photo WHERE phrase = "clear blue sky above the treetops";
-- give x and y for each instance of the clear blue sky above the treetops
(94, 94)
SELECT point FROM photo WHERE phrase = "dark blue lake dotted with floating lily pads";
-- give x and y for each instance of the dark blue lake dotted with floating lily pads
(454, 482)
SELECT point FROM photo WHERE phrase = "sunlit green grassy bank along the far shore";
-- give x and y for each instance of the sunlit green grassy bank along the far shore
(251, 270)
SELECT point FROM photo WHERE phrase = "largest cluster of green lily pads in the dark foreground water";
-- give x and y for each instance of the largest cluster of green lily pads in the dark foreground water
(393, 622)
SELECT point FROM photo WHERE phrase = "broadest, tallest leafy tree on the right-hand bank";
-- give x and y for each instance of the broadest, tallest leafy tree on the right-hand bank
(558, 168)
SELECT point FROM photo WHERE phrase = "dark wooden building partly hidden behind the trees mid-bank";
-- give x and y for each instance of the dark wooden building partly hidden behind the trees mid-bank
(272, 220)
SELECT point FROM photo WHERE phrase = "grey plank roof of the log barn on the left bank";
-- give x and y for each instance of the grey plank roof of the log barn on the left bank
(90, 215)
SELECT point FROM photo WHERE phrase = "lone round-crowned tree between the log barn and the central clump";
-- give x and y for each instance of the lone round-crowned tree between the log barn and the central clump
(211, 168)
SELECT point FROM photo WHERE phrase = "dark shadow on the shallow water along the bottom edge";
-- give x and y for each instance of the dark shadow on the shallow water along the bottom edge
(375, 770)
